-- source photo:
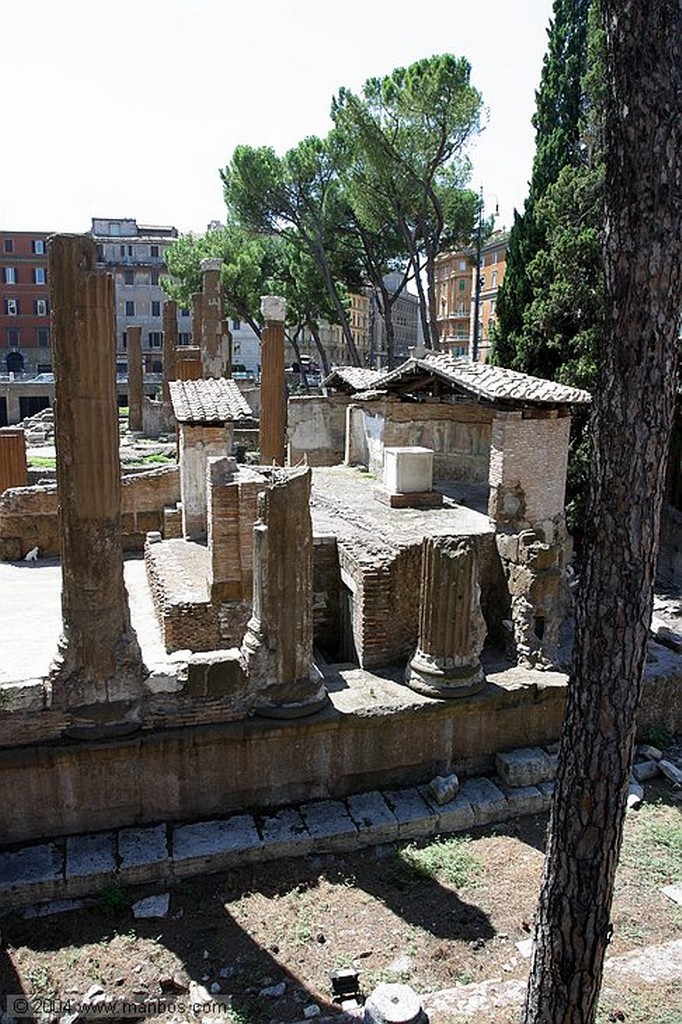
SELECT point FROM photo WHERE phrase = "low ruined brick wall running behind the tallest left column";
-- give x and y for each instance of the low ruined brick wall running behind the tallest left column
(29, 516)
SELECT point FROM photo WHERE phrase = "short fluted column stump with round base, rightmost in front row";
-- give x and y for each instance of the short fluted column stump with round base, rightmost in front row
(452, 629)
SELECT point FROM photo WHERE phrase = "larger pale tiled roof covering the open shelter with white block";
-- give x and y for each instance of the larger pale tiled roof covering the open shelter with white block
(481, 381)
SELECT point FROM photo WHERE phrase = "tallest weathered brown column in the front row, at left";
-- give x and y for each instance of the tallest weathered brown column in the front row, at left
(99, 660)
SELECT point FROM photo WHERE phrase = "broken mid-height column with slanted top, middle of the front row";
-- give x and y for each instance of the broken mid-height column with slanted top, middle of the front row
(277, 653)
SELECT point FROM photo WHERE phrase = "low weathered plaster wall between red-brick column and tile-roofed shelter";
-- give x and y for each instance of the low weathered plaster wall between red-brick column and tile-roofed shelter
(316, 429)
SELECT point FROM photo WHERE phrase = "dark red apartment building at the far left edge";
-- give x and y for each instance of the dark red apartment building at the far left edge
(25, 313)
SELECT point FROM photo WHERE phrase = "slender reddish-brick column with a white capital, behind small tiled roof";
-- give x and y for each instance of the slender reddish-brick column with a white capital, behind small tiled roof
(273, 395)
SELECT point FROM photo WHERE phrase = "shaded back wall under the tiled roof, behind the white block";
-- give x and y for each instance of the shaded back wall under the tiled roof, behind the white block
(459, 435)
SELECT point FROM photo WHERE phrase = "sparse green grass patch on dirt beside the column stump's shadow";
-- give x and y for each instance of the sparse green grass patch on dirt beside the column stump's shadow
(450, 861)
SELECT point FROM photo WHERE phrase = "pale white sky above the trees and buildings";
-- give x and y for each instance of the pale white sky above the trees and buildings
(130, 108)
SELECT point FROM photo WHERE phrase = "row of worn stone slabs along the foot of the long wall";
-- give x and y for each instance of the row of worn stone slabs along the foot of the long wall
(80, 866)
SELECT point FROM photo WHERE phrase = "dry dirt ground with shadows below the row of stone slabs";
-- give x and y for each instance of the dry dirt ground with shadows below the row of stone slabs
(433, 915)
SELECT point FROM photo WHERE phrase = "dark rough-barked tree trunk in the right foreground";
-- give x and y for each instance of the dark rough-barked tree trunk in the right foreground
(632, 423)
